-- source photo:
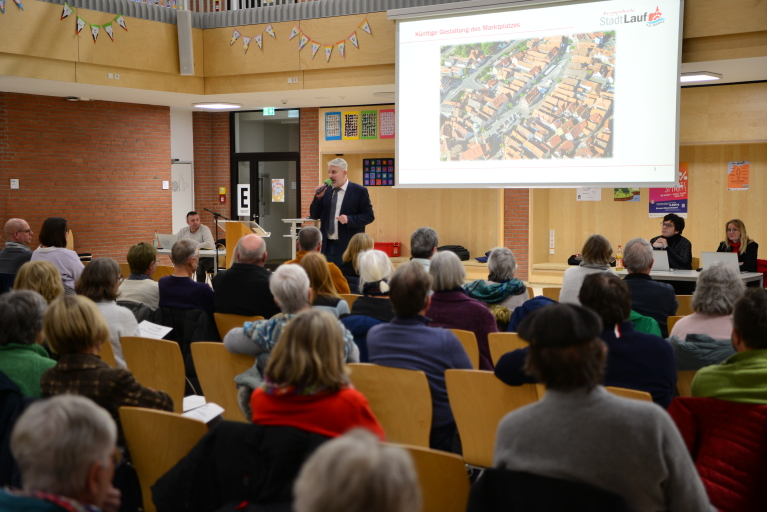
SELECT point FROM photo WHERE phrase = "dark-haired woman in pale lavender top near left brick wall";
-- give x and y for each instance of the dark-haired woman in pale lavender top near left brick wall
(53, 240)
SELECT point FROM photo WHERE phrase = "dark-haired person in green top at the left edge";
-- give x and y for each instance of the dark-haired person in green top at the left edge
(22, 358)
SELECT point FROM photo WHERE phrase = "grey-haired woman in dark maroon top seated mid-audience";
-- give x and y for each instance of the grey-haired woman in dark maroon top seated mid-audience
(452, 308)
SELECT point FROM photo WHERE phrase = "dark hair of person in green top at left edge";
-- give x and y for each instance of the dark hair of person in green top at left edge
(21, 315)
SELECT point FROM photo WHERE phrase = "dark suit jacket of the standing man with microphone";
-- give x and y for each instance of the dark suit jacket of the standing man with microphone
(357, 208)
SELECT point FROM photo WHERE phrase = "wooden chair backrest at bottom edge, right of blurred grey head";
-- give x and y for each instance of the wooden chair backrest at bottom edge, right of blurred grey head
(443, 479)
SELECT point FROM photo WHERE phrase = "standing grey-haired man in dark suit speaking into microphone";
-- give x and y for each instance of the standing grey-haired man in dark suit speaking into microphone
(344, 209)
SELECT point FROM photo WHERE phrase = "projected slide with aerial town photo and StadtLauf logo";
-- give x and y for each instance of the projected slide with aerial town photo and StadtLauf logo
(563, 95)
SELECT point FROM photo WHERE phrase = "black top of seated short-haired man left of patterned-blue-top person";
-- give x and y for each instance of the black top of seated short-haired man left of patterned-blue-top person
(243, 289)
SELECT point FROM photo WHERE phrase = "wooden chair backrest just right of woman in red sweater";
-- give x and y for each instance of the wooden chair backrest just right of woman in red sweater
(400, 399)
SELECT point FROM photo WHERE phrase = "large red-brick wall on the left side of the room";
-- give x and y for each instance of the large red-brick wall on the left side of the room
(98, 164)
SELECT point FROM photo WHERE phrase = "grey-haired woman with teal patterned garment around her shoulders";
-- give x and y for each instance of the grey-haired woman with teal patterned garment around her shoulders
(501, 291)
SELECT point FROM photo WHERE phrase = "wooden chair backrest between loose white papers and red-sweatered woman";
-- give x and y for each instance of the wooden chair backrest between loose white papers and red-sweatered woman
(216, 368)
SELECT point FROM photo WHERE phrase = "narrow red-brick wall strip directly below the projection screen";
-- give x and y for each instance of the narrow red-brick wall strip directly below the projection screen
(516, 227)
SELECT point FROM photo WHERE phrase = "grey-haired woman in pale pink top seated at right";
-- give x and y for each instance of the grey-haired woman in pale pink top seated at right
(703, 338)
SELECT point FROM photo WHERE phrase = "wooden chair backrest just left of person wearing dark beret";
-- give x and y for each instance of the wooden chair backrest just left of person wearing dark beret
(479, 401)
